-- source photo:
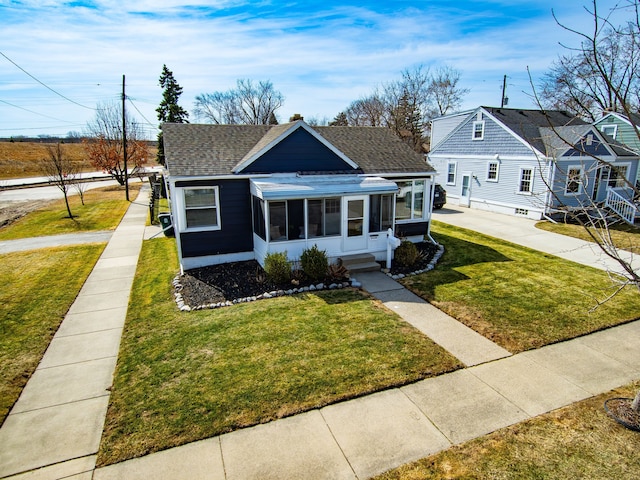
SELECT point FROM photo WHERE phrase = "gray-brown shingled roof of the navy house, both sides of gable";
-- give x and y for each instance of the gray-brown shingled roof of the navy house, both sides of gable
(208, 150)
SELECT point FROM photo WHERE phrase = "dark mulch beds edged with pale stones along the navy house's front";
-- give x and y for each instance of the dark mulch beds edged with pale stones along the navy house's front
(227, 282)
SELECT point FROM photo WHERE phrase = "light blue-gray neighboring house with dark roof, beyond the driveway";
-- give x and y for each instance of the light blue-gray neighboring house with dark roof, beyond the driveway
(528, 162)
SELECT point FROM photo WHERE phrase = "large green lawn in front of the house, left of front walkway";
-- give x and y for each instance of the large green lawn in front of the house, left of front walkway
(187, 376)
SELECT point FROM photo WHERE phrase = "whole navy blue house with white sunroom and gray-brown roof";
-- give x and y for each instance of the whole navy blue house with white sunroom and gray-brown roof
(239, 192)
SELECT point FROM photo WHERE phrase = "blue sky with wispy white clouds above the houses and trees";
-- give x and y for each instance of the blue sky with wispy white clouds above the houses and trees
(320, 54)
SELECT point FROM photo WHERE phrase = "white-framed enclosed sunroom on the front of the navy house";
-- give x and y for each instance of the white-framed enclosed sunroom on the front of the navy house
(341, 214)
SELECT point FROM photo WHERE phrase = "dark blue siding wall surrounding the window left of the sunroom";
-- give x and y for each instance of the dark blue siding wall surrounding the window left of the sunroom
(235, 218)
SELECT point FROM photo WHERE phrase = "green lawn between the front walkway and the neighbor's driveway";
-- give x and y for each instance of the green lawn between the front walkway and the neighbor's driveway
(519, 298)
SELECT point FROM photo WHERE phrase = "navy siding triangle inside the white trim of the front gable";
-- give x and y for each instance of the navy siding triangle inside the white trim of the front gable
(299, 152)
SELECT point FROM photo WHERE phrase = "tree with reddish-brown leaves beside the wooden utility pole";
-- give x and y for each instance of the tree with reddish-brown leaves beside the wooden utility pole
(104, 145)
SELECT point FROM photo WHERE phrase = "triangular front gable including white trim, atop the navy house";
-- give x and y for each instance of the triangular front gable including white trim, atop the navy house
(294, 147)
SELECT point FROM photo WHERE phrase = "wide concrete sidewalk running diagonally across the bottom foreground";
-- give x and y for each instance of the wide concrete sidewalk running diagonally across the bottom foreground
(364, 437)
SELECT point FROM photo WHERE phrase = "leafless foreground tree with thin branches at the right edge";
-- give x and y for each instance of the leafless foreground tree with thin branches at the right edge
(606, 78)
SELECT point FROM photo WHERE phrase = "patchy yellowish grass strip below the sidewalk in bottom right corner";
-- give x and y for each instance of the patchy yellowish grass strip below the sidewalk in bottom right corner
(577, 441)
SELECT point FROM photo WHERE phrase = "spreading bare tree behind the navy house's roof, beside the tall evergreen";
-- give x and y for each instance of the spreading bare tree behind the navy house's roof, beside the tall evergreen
(248, 103)
